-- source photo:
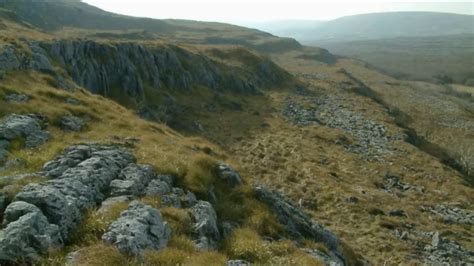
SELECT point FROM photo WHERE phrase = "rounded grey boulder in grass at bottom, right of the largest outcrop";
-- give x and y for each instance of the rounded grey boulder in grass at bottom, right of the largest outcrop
(140, 227)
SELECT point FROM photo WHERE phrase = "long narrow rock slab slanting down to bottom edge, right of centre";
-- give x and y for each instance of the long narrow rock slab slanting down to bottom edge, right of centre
(298, 224)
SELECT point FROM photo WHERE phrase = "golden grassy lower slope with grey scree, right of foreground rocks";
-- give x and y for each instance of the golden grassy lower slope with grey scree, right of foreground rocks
(343, 158)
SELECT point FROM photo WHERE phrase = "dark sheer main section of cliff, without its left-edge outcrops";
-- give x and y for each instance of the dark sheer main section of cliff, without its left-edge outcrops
(100, 67)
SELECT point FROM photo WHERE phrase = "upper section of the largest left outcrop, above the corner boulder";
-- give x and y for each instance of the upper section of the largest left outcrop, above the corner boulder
(80, 175)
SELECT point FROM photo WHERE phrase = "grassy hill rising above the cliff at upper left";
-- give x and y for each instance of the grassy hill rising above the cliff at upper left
(74, 18)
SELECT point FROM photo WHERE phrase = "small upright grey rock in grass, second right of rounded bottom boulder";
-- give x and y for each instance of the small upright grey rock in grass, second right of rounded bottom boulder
(205, 226)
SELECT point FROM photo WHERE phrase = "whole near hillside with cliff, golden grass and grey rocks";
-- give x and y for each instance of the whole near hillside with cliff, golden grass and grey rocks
(118, 151)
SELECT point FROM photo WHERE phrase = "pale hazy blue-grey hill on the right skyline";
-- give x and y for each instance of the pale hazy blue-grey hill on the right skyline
(377, 26)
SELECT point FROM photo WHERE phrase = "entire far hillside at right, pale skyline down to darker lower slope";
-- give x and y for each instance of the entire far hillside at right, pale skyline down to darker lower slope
(409, 45)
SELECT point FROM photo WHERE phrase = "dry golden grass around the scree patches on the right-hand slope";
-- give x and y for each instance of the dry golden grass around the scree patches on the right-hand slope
(306, 164)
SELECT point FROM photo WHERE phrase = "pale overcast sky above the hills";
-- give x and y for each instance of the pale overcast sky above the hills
(264, 10)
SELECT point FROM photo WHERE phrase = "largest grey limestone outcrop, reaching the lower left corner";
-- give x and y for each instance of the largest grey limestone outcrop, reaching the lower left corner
(80, 177)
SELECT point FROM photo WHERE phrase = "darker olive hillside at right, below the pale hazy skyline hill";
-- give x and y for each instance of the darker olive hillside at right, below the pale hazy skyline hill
(420, 58)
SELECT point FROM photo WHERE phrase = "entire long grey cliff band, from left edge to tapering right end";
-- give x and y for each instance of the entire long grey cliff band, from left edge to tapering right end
(113, 69)
